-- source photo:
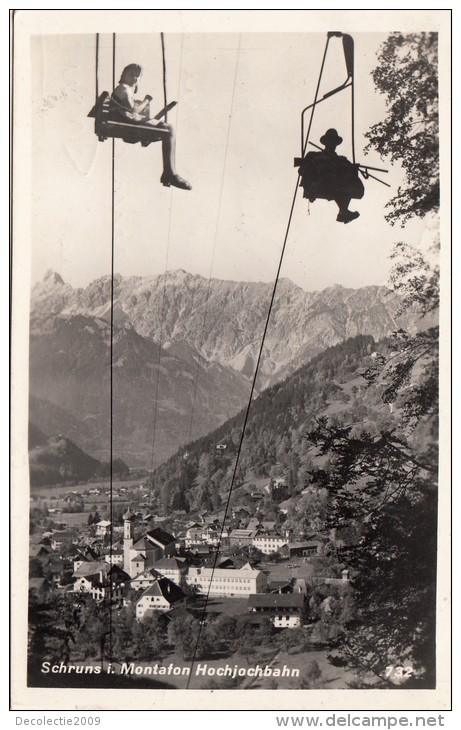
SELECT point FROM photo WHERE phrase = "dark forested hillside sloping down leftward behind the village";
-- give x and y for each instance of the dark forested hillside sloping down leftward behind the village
(275, 443)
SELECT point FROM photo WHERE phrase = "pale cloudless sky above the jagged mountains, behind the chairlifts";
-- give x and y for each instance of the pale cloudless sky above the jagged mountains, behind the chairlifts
(238, 129)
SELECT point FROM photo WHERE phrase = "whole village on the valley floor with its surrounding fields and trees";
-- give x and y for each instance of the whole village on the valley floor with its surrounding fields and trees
(262, 593)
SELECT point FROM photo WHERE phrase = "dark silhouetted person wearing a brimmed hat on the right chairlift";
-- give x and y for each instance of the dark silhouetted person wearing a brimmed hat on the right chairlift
(330, 176)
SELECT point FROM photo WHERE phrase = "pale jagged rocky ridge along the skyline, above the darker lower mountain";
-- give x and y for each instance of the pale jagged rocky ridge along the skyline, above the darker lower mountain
(224, 320)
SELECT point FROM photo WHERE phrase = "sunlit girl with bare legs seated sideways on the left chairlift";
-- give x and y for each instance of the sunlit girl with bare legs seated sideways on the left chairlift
(124, 107)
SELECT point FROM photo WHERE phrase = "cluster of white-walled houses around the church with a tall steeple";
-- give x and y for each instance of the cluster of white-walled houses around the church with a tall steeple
(158, 572)
